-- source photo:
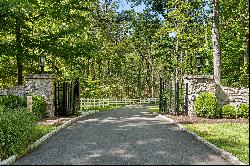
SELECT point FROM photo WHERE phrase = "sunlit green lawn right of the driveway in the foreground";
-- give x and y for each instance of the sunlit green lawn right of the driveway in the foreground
(232, 137)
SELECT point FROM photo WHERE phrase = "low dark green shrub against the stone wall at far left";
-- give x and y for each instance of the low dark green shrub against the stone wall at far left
(13, 102)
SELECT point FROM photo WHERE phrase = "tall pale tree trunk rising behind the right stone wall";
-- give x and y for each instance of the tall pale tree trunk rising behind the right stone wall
(216, 42)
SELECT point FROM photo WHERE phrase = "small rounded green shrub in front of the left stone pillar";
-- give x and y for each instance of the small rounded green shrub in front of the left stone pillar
(39, 106)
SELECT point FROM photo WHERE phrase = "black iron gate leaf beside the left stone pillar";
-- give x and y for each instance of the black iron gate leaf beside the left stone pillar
(67, 98)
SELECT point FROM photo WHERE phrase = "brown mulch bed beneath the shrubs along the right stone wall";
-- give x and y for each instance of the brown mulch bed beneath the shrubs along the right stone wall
(194, 119)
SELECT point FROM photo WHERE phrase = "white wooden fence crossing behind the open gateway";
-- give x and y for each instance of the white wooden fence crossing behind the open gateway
(93, 103)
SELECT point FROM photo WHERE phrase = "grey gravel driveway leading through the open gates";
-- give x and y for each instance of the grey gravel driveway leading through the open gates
(124, 136)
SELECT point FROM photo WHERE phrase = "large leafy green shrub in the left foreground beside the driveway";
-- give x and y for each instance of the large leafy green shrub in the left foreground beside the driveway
(16, 131)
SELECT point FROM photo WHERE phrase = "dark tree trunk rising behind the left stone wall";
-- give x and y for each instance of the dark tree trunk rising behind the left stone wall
(19, 53)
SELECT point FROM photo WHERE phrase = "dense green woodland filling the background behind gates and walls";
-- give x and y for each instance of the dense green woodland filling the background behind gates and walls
(122, 53)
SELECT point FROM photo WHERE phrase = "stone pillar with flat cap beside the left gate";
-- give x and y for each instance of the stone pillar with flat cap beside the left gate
(42, 85)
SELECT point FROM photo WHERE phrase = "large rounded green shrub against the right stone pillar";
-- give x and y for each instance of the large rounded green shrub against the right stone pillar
(206, 105)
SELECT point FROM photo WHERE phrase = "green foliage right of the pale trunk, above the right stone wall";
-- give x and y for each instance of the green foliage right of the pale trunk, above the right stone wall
(234, 36)
